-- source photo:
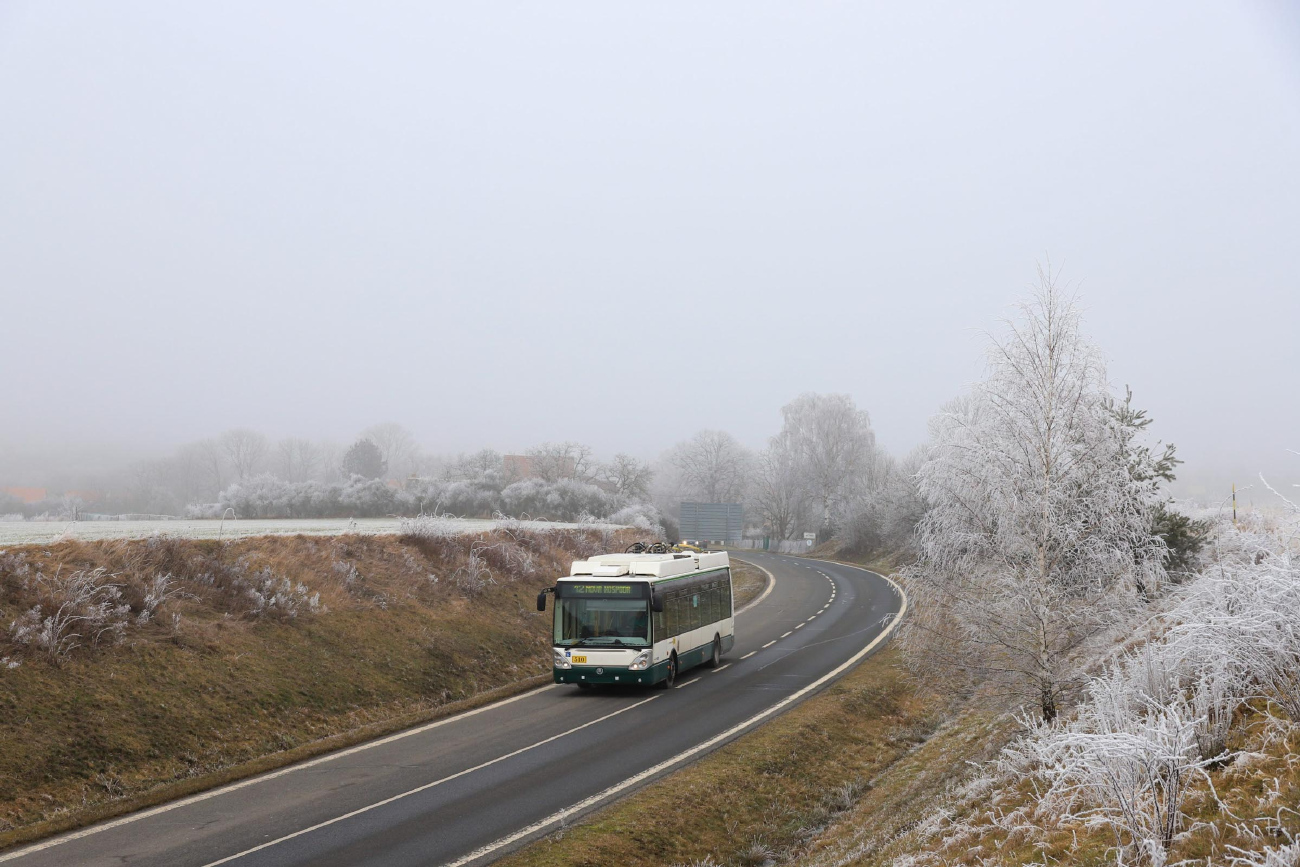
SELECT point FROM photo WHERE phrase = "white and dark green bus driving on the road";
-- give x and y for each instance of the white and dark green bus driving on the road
(632, 619)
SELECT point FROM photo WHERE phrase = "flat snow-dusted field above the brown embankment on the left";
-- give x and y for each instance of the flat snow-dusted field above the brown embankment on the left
(42, 532)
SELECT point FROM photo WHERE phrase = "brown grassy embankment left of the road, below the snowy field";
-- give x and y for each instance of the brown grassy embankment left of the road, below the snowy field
(233, 673)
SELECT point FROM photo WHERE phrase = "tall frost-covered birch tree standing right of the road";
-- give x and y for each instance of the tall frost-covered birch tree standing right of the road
(1037, 526)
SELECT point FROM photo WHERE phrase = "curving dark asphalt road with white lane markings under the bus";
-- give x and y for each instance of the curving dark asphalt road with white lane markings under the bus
(467, 790)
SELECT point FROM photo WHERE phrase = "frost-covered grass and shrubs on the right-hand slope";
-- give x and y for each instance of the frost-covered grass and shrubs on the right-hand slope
(1185, 749)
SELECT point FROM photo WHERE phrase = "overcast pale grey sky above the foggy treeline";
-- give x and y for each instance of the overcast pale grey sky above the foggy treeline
(501, 224)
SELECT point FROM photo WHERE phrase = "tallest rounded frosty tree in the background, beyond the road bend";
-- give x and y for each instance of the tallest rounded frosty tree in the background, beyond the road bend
(834, 443)
